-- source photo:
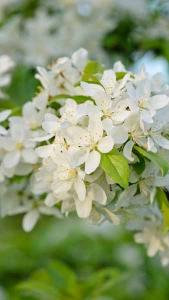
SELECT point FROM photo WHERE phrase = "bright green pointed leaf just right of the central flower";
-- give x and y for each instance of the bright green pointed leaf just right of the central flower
(116, 167)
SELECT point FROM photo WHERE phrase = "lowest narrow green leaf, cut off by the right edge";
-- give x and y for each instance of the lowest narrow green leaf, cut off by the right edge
(164, 206)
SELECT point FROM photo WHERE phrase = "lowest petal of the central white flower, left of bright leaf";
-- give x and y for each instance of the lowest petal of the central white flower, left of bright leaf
(92, 162)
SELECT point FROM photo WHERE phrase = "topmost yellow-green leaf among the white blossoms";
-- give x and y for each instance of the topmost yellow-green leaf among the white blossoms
(91, 72)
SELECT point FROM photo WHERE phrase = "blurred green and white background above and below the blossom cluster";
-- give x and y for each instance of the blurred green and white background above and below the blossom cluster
(69, 259)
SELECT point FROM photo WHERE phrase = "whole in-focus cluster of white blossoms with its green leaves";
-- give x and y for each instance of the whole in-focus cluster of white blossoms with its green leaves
(93, 142)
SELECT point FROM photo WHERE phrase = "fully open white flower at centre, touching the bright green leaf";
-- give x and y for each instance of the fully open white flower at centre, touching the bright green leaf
(87, 143)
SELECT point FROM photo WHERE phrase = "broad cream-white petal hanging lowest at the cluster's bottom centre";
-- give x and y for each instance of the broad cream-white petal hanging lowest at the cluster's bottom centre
(83, 207)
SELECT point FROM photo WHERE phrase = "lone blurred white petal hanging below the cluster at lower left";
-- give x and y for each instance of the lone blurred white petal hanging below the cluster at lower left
(30, 220)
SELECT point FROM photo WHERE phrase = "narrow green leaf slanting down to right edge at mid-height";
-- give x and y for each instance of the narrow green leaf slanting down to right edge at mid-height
(155, 158)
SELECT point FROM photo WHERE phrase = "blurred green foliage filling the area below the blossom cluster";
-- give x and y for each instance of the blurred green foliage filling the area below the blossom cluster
(65, 260)
